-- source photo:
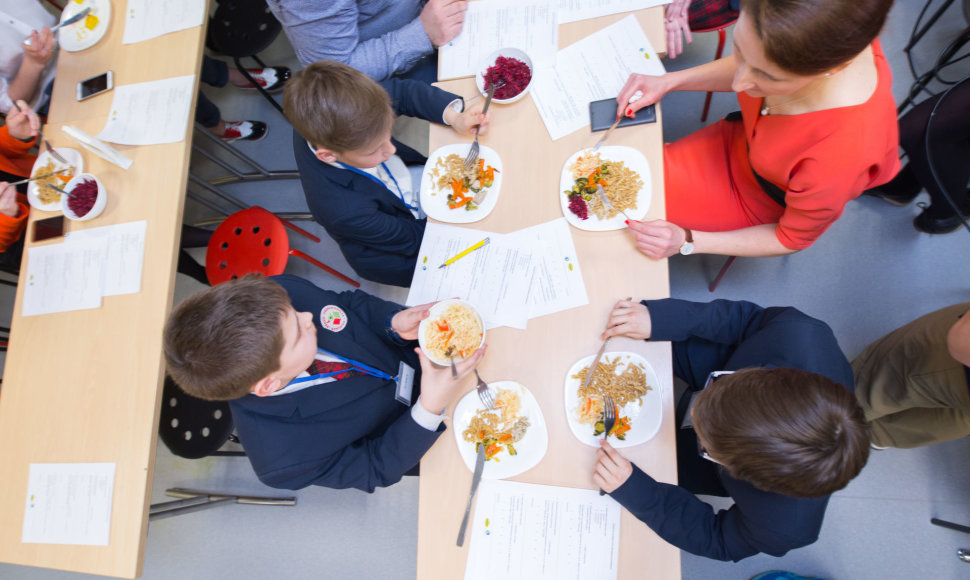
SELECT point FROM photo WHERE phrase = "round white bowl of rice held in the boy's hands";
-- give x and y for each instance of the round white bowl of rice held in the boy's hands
(452, 324)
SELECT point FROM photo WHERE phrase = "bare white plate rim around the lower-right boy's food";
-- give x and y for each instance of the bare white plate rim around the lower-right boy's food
(644, 419)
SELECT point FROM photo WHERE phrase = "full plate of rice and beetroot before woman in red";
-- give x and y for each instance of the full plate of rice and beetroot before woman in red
(625, 176)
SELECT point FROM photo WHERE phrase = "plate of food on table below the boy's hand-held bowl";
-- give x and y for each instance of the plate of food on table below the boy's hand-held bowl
(514, 433)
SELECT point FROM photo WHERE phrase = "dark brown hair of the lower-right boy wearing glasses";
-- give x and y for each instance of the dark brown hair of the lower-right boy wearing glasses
(783, 430)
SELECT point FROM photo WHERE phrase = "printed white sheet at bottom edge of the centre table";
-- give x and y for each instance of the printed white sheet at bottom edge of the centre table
(539, 532)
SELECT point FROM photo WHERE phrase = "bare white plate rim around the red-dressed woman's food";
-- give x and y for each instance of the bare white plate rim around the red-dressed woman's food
(634, 160)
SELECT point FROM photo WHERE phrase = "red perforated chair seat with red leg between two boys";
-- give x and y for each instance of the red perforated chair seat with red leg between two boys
(253, 240)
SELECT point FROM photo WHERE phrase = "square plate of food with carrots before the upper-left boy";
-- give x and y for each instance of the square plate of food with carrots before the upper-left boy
(450, 193)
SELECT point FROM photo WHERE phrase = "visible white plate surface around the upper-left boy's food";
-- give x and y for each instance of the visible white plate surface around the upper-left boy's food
(434, 202)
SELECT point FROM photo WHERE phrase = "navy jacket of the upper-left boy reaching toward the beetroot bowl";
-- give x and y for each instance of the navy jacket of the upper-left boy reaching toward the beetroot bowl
(377, 233)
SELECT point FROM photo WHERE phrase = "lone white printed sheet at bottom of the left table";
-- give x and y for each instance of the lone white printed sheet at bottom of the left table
(69, 503)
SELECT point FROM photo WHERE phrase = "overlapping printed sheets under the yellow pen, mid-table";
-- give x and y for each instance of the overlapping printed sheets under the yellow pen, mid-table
(517, 276)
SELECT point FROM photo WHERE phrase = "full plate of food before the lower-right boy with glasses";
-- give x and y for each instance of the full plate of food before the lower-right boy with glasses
(633, 384)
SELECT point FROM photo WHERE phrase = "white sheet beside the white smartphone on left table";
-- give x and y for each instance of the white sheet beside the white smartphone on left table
(150, 113)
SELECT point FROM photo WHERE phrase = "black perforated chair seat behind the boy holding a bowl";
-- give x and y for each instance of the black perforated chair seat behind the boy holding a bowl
(194, 428)
